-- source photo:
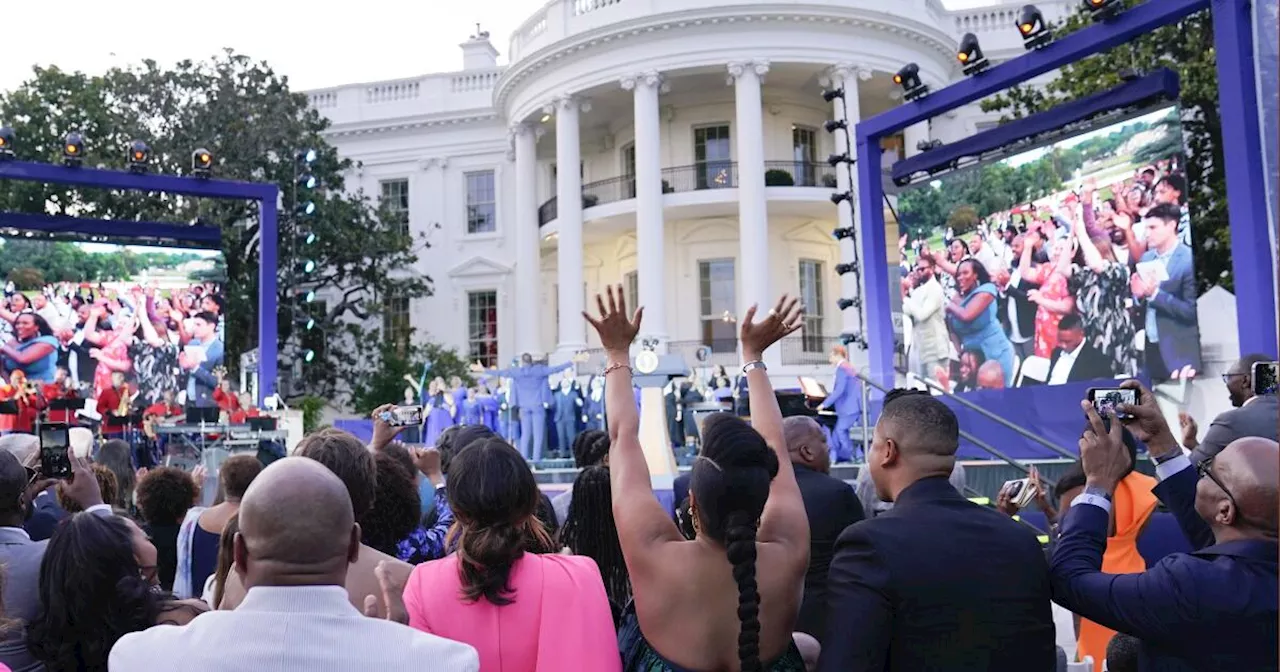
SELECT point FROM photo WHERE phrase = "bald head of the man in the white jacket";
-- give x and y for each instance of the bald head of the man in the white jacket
(296, 527)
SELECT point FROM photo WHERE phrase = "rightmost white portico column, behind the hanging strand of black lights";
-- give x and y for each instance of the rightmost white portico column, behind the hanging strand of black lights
(847, 77)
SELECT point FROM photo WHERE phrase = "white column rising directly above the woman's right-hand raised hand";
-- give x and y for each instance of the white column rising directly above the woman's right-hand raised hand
(753, 264)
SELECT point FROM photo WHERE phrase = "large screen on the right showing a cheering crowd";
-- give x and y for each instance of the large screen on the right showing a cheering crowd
(1066, 263)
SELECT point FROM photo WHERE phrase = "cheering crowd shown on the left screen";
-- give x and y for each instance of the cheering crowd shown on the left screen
(127, 350)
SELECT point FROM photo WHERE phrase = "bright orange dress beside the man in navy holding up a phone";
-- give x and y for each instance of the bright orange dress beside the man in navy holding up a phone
(1133, 504)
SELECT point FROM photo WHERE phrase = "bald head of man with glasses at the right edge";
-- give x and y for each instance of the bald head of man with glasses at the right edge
(1250, 470)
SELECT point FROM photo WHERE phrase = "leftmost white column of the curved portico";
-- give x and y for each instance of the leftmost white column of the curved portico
(528, 241)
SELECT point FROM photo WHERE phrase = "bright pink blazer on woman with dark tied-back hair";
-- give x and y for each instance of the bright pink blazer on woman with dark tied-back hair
(560, 619)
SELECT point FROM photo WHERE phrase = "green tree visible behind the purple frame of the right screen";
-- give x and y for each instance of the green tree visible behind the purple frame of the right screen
(1186, 48)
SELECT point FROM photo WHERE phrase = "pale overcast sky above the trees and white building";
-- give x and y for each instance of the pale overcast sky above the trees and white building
(364, 40)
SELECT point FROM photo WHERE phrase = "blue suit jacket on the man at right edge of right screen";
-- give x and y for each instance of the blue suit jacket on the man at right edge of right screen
(1176, 312)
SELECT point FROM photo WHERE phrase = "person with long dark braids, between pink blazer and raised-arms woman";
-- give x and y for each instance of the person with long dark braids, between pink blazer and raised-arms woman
(589, 531)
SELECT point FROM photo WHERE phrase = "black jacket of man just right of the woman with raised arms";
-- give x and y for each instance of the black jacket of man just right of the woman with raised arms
(831, 506)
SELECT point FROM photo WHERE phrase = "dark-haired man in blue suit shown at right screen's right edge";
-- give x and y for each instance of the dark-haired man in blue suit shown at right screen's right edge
(1172, 331)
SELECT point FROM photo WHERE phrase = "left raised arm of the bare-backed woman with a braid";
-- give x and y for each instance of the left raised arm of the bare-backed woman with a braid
(642, 522)
